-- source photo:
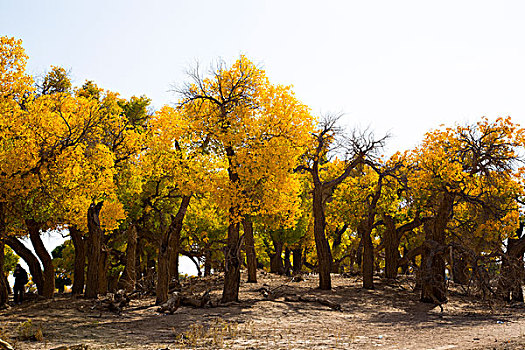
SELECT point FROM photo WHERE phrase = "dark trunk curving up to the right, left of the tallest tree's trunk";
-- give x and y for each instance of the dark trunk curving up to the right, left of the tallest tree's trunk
(173, 232)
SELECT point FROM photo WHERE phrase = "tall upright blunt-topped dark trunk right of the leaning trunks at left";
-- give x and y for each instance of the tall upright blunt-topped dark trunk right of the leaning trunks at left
(94, 250)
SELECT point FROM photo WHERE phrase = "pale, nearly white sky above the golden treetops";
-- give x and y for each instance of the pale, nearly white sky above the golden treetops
(396, 67)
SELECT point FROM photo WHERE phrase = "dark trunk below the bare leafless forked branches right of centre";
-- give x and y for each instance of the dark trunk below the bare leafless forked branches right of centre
(321, 243)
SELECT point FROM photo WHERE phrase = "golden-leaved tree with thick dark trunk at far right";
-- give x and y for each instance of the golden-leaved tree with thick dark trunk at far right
(464, 165)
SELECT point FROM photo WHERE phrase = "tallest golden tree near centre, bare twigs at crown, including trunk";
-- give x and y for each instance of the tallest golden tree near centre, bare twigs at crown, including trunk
(241, 116)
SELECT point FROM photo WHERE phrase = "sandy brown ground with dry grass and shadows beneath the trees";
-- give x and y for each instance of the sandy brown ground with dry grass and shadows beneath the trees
(389, 317)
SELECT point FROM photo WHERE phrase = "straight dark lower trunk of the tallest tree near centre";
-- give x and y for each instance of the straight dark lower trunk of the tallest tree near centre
(232, 265)
